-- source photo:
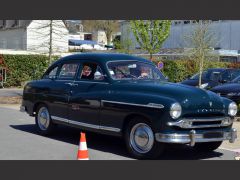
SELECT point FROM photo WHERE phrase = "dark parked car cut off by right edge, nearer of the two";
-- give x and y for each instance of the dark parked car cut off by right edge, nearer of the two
(230, 90)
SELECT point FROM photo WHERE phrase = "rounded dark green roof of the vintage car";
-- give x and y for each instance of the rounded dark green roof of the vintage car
(102, 57)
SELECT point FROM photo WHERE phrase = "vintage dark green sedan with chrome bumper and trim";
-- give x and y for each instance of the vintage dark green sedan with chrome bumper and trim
(128, 96)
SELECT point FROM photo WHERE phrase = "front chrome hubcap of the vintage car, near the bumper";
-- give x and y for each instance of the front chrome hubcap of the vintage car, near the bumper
(141, 138)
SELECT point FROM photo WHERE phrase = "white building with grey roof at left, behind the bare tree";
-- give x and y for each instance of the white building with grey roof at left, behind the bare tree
(33, 35)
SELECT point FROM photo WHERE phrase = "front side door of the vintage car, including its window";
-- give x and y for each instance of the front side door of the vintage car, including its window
(86, 93)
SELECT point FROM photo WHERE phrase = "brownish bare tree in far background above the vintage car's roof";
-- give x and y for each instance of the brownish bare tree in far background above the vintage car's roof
(108, 26)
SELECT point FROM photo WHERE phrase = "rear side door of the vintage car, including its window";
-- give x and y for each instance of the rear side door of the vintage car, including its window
(59, 90)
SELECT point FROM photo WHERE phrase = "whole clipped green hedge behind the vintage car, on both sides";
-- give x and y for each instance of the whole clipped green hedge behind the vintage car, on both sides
(22, 68)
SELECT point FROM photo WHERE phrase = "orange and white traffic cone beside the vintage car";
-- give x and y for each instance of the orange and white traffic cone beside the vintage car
(82, 150)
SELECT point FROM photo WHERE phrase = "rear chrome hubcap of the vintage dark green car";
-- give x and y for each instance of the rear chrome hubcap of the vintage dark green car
(43, 118)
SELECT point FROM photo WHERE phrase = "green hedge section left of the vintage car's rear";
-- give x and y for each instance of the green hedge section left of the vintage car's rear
(22, 68)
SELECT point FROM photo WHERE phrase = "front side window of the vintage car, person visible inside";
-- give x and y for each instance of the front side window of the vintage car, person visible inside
(91, 71)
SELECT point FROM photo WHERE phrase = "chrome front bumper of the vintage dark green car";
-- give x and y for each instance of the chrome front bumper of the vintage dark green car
(193, 137)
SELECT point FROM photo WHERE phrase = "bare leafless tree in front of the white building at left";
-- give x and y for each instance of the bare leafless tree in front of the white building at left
(48, 36)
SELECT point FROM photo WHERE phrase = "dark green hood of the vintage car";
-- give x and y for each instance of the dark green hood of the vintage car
(189, 97)
